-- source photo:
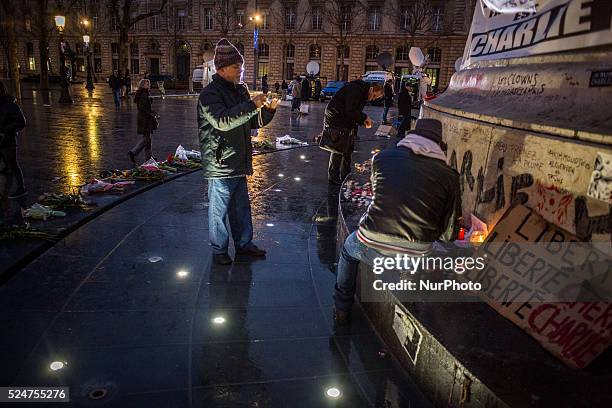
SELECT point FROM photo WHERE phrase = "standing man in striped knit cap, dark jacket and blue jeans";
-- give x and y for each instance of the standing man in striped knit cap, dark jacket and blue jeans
(226, 115)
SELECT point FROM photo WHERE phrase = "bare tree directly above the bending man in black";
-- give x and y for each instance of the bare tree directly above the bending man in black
(341, 24)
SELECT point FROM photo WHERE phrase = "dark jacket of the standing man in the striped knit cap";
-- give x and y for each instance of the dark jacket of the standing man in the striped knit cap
(226, 116)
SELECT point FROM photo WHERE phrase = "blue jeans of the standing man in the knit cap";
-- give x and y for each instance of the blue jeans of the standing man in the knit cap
(229, 198)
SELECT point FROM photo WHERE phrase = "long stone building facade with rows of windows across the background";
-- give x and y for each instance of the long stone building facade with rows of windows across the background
(344, 37)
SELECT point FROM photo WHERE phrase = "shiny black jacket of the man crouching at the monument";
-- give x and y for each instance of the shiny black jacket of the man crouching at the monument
(417, 200)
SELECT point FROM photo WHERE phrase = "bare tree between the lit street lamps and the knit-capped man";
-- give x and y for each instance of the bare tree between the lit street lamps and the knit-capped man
(123, 12)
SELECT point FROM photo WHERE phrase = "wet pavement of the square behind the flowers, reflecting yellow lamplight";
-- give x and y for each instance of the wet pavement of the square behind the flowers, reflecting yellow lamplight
(63, 146)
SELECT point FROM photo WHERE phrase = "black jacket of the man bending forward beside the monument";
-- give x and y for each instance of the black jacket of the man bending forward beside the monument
(345, 109)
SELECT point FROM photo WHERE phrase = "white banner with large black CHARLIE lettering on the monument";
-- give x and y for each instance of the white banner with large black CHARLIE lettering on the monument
(557, 25)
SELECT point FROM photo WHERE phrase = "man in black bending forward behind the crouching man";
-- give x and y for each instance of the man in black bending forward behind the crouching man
(344, 113)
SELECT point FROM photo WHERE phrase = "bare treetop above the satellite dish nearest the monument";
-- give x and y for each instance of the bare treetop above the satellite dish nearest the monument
(411, 18)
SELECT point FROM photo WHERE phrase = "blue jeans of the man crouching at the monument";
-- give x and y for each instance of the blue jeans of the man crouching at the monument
(353, 251)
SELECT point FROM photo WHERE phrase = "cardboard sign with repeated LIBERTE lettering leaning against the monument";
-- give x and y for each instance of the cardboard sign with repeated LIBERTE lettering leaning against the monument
(534, 270)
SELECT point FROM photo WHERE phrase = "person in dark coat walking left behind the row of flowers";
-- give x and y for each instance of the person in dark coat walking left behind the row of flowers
(147, 122)
